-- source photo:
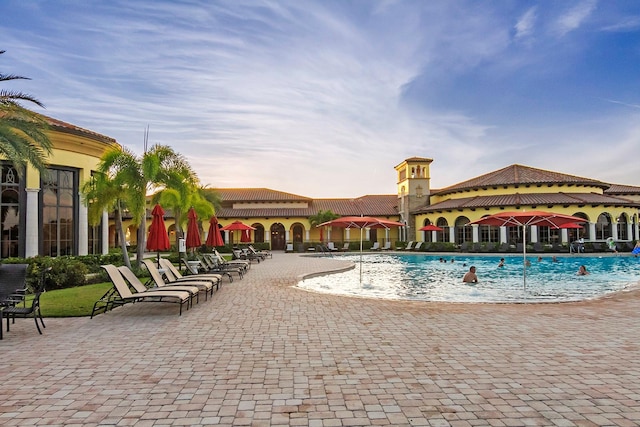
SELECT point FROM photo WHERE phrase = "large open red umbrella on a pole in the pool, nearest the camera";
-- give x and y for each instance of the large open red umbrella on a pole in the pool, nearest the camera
(524, 219)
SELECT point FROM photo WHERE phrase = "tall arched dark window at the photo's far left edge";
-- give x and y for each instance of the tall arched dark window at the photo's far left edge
(10, 211)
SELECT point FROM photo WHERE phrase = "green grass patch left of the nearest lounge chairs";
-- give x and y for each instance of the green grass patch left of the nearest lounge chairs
(72, 302)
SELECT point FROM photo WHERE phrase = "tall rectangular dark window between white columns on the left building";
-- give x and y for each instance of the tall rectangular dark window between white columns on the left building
(59, 212)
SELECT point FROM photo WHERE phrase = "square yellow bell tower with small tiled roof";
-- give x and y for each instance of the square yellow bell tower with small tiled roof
(413, 189)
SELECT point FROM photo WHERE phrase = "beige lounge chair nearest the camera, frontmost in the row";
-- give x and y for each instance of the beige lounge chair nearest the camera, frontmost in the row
(122, 293)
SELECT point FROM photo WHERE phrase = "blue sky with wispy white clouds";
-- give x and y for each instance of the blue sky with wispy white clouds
(324, 98)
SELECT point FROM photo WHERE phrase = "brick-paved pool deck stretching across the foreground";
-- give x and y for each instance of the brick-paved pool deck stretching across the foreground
(262, 353)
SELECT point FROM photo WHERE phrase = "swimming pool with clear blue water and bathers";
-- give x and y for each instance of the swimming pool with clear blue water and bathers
(424, 278)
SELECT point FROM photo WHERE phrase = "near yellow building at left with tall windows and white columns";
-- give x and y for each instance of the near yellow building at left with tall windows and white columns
(44, 215)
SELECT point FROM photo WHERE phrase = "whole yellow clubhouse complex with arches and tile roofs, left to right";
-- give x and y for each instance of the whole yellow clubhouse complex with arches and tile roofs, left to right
(44, 215)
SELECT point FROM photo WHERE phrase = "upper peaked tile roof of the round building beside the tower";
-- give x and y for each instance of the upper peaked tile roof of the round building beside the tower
(520, 175)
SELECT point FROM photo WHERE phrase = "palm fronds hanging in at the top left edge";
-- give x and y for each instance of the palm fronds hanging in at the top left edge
(23, 138)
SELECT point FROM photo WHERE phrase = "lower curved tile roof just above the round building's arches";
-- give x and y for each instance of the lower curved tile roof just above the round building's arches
(534, 199)
